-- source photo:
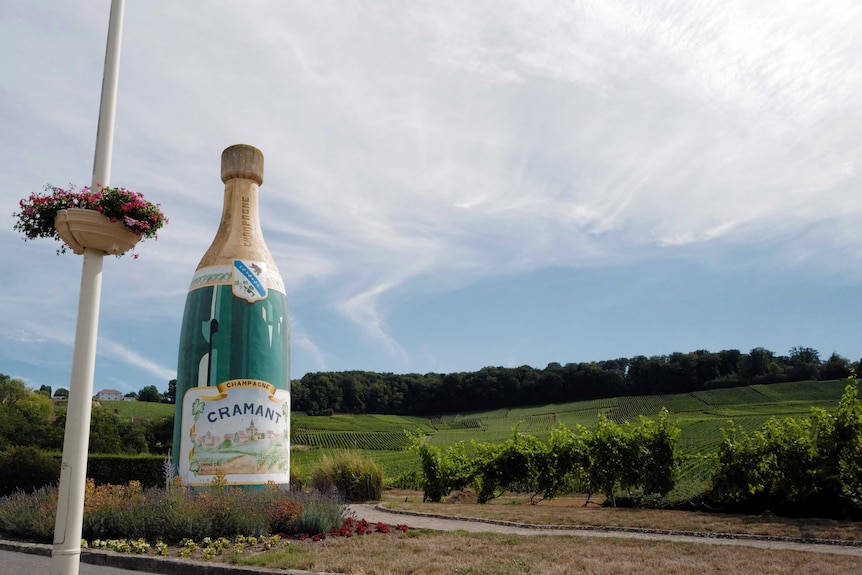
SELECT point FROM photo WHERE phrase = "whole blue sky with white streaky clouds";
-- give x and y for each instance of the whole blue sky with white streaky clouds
(451, 185)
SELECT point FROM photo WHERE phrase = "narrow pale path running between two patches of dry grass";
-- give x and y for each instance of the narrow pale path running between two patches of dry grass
(377, 513)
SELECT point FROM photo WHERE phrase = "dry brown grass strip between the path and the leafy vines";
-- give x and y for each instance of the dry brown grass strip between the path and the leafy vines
(570, 511)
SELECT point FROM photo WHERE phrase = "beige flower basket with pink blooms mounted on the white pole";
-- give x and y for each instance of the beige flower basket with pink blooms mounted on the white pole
(112, 220)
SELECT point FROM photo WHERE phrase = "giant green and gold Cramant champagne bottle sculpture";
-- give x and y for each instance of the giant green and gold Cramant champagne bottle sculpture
(233, 384)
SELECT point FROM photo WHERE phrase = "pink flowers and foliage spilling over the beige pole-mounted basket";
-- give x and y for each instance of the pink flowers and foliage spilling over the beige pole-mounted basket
(36, 218)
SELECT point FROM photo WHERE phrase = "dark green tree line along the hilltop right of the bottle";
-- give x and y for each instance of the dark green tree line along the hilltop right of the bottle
(323, 393)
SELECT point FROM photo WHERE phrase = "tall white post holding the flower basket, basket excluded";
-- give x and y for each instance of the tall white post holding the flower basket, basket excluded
(66, 555)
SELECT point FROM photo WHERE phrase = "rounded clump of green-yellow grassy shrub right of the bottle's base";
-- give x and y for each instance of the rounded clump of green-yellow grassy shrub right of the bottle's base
(356, 478)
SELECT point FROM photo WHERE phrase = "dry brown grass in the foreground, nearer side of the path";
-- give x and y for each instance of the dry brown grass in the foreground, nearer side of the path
(434, 553)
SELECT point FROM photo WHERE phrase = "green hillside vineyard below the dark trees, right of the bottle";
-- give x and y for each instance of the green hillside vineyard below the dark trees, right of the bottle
(700, 416)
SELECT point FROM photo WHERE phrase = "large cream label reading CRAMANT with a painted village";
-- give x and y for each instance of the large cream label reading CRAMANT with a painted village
(239, 429)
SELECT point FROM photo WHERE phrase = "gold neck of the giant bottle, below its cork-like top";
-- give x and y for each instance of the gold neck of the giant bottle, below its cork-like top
(239, 235)
